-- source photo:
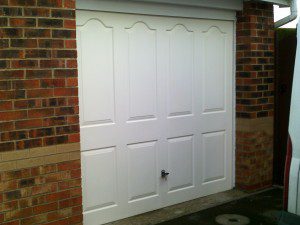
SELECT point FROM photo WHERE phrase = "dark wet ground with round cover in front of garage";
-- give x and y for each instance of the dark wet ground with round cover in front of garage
(259, 209)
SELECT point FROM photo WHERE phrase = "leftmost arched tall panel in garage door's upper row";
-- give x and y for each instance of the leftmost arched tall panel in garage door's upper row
(96, 38)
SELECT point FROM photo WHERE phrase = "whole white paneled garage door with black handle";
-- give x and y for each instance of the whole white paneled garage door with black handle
(155, 94)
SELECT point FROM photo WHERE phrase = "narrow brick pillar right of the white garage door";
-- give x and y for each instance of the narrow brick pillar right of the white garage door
(255, 96)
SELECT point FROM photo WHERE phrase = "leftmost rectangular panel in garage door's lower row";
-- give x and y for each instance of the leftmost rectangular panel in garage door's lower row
(100, 190)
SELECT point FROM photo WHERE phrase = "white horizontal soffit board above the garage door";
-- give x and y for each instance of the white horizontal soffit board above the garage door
(217, 9)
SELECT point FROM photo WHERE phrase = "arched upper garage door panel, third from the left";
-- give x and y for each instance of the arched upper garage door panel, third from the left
(181, 71)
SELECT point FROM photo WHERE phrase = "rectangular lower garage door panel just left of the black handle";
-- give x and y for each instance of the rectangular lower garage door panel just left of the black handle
(142, 171)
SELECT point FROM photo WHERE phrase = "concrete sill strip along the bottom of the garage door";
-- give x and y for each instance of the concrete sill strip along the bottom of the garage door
(180, 210)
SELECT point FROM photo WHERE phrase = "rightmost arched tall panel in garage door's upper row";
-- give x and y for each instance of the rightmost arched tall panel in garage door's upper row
(214, 70)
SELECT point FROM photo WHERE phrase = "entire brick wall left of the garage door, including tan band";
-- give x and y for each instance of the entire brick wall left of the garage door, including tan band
(40, 180)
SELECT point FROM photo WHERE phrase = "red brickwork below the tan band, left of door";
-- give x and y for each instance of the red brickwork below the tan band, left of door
(44, 194)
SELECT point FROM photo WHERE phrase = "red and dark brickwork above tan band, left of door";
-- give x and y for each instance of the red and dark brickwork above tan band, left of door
(38, 74)
